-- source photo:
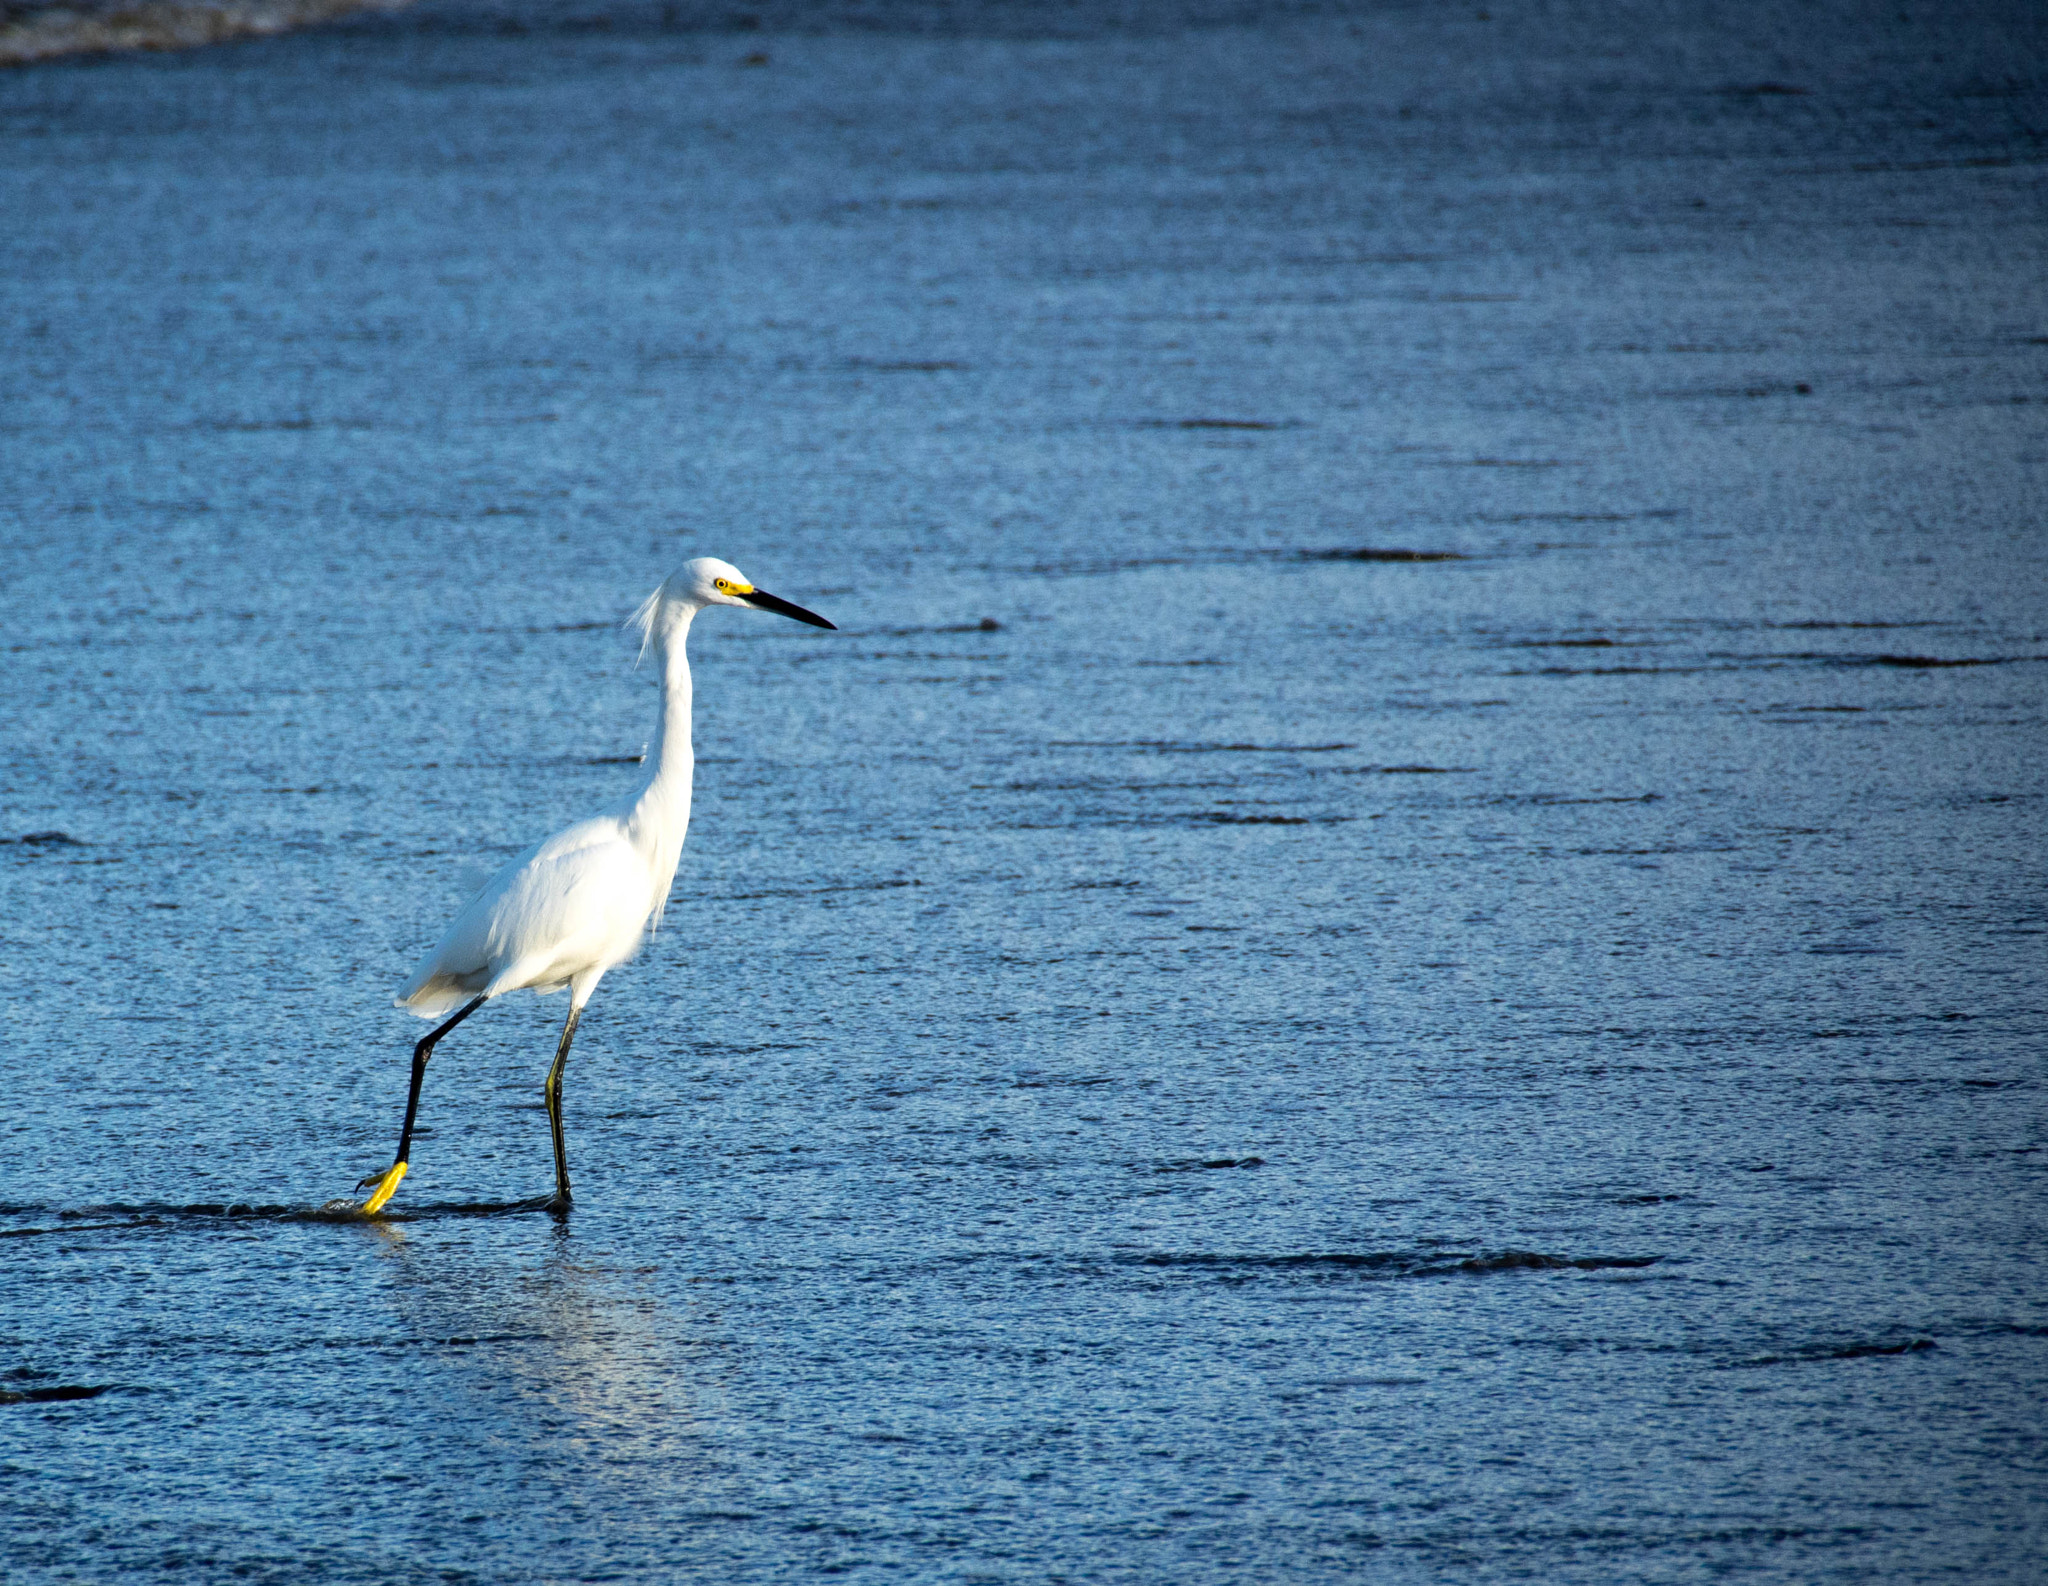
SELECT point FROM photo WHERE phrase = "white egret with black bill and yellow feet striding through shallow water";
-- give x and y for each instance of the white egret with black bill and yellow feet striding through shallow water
(574, 907)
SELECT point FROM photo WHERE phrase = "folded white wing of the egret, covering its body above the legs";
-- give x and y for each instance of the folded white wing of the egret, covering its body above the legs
(572, 903)
